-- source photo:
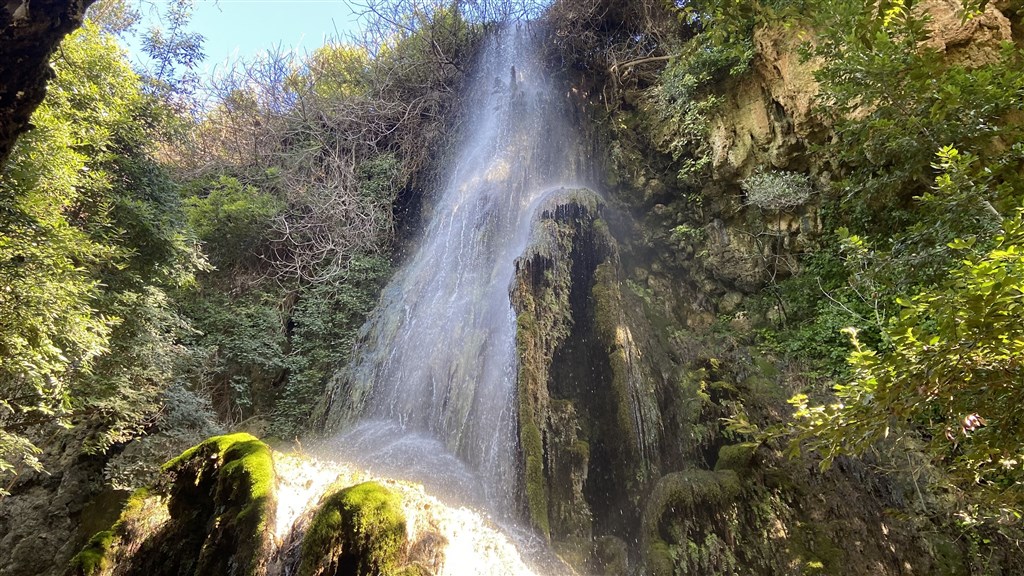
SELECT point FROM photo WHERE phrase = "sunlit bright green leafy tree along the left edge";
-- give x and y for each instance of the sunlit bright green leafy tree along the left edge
(93, 240)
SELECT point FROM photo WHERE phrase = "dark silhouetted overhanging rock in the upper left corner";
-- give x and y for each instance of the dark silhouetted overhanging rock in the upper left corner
(30, 31)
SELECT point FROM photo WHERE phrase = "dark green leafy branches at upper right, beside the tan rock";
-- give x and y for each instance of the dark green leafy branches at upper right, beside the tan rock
(894, 102)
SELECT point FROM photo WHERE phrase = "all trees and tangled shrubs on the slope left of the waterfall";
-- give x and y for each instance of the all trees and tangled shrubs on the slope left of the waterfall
(228, 280)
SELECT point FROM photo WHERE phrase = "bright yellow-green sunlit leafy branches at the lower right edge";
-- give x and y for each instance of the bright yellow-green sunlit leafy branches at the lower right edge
(953, 377)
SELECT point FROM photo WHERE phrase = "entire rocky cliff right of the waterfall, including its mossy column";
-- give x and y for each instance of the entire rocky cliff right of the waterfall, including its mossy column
(641, 364)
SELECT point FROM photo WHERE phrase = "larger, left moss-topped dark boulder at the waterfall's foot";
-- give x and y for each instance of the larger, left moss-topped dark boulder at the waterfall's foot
(217, 521)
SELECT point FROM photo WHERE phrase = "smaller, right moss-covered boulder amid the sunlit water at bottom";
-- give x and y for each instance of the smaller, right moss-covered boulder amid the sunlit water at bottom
(357, 531)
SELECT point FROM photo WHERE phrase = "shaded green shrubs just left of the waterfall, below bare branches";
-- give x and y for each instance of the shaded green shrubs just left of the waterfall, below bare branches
(271, 348)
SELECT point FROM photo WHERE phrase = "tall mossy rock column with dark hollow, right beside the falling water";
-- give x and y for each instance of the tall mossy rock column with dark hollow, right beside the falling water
(589, 425)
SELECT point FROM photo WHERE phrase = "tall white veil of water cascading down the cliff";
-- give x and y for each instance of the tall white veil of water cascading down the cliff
(432, 390)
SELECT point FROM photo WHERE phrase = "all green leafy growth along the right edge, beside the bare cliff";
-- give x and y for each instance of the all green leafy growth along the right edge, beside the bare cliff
(918, 261)
